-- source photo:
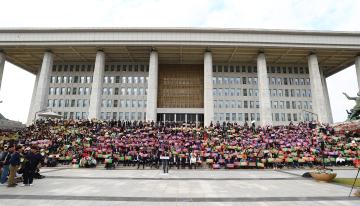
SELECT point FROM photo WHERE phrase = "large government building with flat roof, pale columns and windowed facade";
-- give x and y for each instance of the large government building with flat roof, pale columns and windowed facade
(200, 75)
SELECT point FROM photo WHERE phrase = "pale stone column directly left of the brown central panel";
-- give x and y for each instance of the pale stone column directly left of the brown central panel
(151, 98)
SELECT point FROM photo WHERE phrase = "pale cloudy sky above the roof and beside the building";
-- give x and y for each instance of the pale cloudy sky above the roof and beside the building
(335, 15)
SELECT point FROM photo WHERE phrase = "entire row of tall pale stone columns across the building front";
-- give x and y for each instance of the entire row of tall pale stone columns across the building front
(320, 96)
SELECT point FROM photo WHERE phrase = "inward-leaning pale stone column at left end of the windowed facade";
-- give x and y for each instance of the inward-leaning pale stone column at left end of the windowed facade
(42, 86)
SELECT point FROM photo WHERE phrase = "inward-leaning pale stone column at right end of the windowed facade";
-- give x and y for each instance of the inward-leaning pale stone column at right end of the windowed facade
(317, 90)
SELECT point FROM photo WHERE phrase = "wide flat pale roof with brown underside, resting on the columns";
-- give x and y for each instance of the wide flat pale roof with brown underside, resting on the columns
(25, 46)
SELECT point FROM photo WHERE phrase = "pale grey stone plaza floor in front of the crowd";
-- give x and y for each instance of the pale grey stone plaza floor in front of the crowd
(77, 187)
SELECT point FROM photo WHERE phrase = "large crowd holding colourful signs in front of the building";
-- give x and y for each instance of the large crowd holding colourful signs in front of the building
(145, 144)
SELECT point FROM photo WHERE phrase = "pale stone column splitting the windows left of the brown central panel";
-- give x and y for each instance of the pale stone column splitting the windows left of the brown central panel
(96, 87)
